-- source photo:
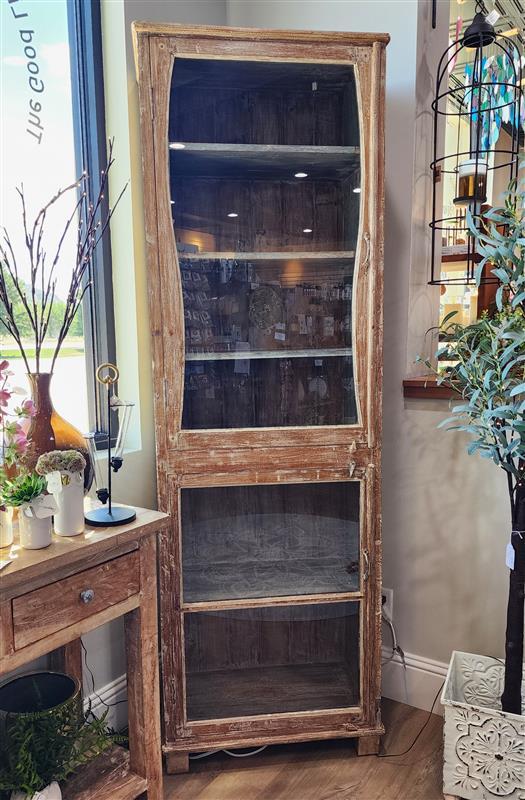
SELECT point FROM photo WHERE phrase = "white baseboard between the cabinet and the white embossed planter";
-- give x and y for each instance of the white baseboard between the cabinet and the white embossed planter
(418, 685)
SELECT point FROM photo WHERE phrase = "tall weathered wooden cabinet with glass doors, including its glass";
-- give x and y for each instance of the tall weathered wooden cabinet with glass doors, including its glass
(263, 184)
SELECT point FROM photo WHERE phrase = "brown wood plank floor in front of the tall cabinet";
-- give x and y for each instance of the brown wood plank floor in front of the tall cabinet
(326, 770)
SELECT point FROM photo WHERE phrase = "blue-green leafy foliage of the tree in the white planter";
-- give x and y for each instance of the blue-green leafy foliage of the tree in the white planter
(485, 361)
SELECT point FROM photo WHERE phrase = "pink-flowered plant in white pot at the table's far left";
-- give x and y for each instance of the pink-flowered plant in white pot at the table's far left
(13, 444)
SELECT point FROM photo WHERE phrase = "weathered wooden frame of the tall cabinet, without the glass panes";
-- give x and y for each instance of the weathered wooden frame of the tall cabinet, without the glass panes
(191, 458)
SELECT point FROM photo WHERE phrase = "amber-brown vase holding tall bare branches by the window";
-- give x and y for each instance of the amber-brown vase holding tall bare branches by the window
(33, 295)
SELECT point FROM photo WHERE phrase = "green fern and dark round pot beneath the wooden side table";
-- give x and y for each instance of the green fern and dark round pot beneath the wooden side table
(45, 734)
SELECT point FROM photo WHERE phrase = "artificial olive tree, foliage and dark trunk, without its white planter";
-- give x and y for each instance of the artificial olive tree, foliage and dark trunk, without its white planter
(488, 372)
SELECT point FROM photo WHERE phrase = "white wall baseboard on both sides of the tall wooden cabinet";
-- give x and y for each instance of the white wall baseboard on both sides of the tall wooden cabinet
(417, 686)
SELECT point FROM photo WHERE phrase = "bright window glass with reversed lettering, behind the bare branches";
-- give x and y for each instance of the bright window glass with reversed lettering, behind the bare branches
(38, 151)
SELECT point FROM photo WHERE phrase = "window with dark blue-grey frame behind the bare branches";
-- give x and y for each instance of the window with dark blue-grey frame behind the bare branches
(53, 128)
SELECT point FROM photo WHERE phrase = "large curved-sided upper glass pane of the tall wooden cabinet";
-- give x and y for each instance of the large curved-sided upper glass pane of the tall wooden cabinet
(265, 192)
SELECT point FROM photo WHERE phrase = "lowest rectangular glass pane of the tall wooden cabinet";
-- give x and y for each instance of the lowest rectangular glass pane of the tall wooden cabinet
(271, 660)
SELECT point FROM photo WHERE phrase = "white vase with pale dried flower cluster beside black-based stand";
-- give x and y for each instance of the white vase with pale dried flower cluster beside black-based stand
(63, 471)
